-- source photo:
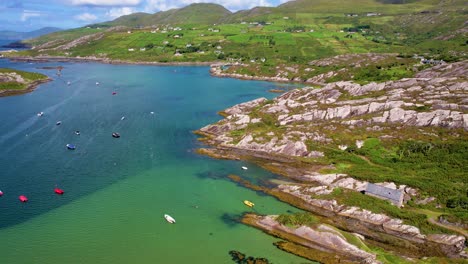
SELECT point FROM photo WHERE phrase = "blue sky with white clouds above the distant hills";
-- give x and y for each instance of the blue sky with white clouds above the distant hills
(29, 15)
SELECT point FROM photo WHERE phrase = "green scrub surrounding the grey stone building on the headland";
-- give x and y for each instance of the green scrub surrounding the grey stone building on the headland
(436, 168)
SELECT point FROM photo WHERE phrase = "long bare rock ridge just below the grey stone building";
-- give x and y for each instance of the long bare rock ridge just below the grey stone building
(369, 223)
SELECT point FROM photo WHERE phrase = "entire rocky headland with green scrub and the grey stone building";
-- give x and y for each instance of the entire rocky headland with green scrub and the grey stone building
(365, 159)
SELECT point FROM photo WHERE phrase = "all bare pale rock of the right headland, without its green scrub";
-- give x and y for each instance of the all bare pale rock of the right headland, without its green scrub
(285, 133)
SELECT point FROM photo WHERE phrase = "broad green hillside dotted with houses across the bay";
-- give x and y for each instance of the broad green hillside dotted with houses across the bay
(294, 32)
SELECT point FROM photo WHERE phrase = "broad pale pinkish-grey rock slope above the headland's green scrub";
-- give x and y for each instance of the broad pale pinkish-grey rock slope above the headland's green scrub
(410, 102)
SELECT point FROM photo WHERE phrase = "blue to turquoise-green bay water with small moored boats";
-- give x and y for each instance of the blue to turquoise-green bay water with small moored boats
(117, 190)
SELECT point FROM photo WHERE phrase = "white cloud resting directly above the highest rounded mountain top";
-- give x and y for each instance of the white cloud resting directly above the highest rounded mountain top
(233, 5)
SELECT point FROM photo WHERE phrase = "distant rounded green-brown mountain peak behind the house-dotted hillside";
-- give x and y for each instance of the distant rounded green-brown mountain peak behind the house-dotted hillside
(200, 13)
